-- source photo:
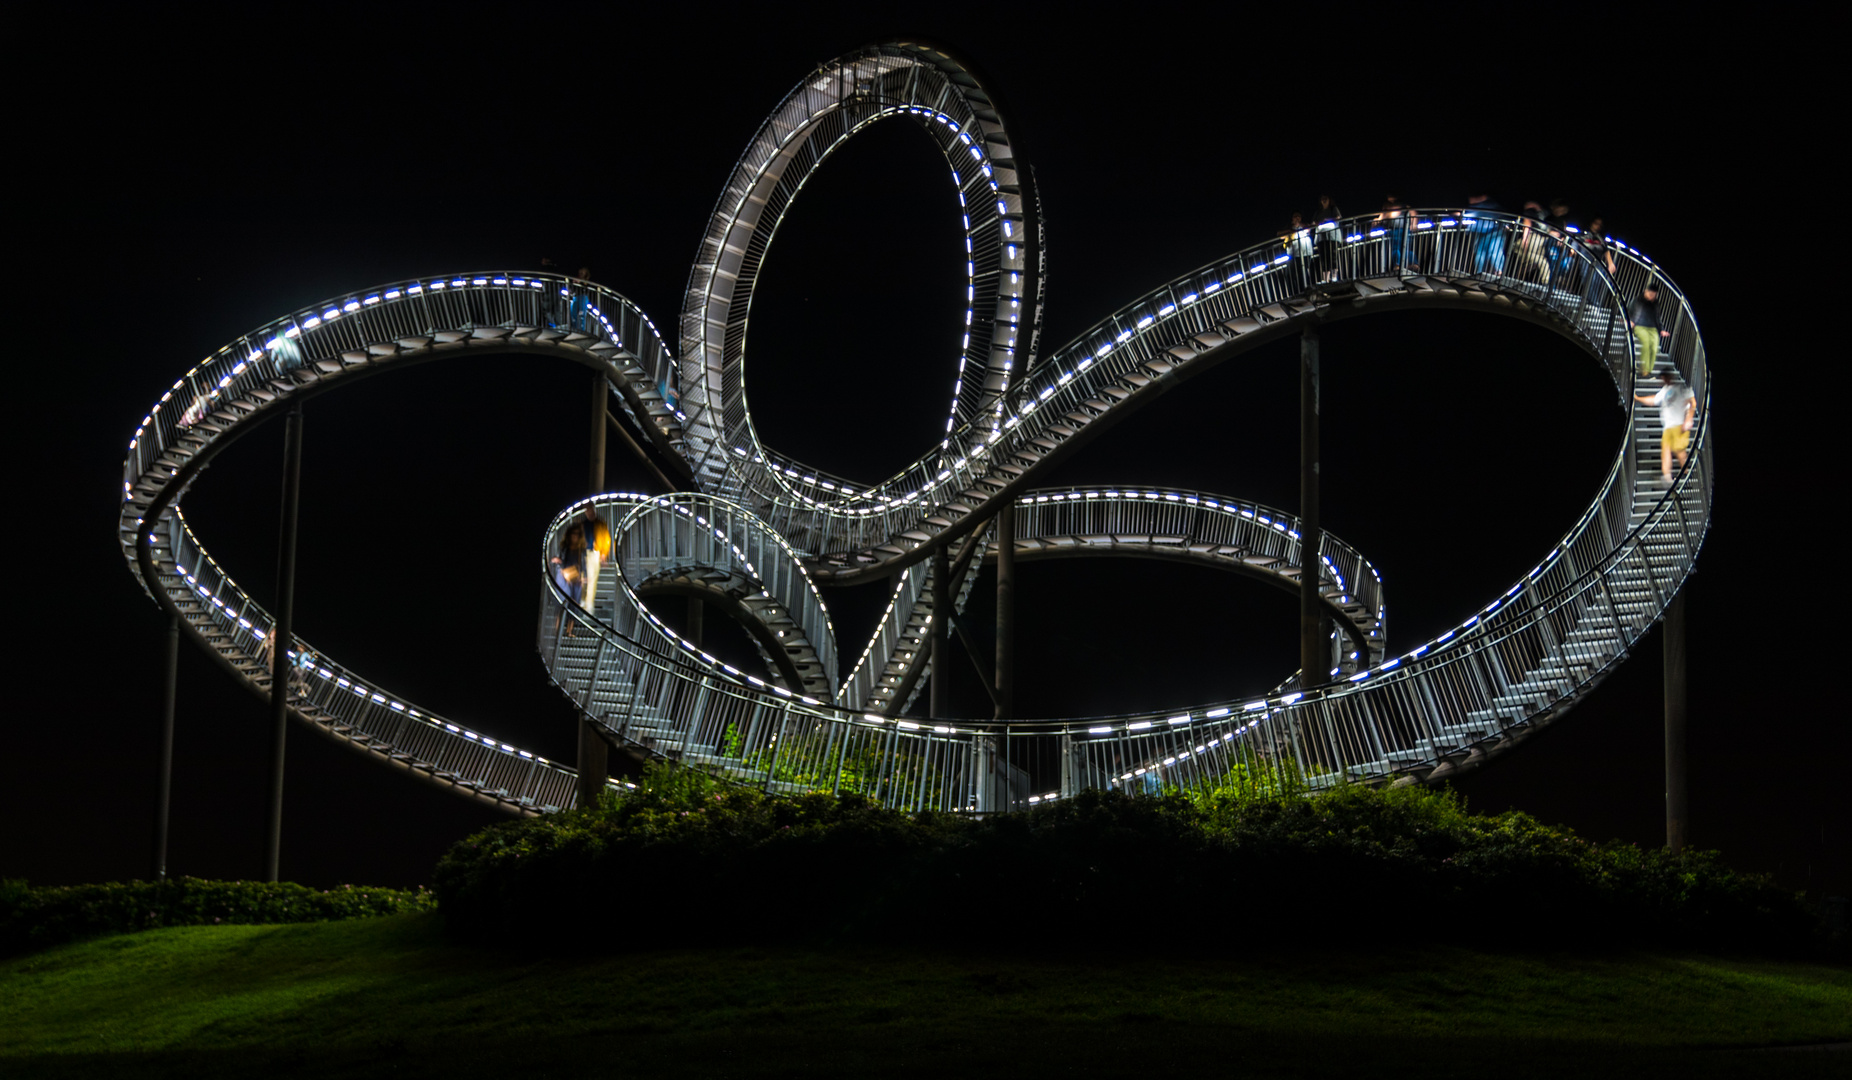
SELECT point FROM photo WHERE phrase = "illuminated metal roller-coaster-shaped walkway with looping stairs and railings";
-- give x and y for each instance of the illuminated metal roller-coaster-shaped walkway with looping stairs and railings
(758, 533)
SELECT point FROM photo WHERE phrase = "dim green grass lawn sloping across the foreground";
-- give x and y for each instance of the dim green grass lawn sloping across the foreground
(394, 998)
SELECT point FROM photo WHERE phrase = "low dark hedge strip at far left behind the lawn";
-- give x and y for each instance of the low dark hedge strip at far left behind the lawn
(51, 916)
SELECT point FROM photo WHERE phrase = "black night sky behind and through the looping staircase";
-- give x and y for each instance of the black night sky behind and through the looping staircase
(186, 192)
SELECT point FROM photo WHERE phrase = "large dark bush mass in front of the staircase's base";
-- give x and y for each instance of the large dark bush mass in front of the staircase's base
(1223, 870)
